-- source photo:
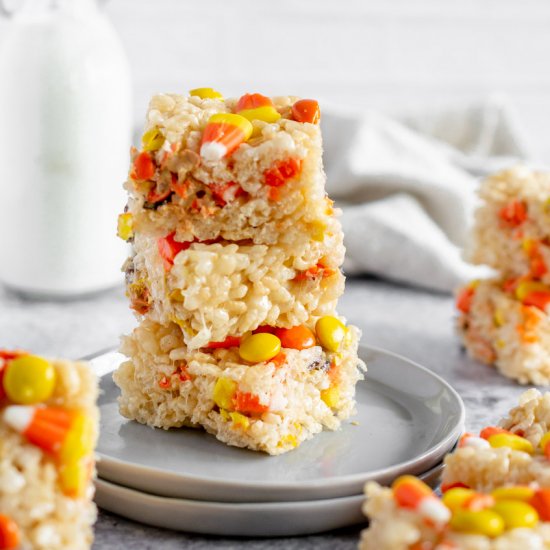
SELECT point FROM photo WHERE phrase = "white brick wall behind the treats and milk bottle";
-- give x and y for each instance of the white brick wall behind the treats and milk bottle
(387, 54)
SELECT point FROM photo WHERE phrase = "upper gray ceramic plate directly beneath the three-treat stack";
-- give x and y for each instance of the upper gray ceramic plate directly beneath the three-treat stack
(408, 418)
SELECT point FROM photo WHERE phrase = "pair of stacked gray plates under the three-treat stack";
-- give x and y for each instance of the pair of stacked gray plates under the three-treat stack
(408, 419)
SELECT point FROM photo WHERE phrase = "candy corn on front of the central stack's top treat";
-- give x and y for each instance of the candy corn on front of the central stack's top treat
(223, 134)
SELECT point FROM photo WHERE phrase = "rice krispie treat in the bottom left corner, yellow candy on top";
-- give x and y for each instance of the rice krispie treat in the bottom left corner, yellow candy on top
(48, 431)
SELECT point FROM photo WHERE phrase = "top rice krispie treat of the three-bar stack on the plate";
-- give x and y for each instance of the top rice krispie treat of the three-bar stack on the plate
(223, 169)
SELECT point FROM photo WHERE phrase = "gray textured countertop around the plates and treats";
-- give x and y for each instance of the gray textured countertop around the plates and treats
(416, 324)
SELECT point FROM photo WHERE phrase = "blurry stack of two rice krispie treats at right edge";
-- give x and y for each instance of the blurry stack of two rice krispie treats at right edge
(505, 320)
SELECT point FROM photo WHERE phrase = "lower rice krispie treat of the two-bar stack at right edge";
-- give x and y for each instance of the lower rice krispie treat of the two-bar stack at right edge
(506, 323)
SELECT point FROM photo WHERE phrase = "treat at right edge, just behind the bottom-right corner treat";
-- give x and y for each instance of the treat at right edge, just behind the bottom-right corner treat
(517, 452)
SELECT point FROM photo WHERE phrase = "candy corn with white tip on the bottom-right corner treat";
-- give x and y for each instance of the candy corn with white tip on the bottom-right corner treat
(410, 492)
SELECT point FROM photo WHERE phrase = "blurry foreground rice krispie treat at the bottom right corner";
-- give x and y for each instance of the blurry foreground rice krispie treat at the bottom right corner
(410, 516)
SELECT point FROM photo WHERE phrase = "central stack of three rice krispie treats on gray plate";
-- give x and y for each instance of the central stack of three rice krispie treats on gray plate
(235, 274)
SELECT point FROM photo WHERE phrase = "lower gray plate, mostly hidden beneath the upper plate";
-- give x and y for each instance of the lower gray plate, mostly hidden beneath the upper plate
(276, 519)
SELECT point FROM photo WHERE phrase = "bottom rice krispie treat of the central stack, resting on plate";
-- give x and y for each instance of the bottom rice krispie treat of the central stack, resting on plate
(268, 391)
